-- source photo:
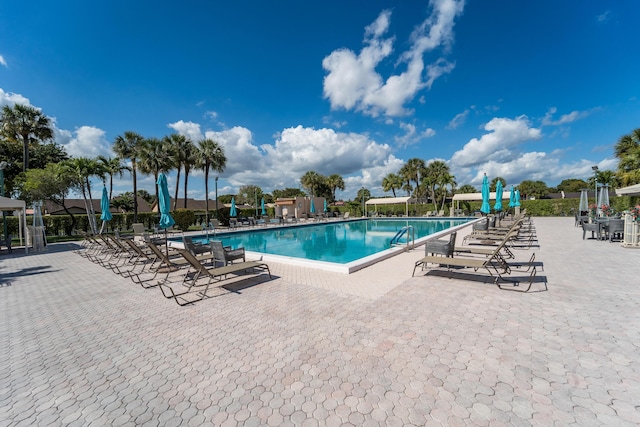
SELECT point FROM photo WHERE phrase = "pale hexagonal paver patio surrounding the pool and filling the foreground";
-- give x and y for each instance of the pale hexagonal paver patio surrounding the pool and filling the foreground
(80, 345)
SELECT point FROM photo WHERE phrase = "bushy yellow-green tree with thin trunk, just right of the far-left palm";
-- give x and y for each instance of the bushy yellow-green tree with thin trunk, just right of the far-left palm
(51, 183)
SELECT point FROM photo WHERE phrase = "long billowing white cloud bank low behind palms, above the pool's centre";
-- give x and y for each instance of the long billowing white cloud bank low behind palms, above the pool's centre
(359, 159)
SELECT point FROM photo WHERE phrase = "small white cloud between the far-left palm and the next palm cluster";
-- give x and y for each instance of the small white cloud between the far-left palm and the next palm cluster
(85, 141)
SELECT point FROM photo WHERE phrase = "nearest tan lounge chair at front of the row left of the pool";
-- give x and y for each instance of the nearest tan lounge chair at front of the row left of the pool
(199, 273)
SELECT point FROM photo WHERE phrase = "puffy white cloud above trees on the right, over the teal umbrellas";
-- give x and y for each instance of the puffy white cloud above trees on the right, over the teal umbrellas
(503, 134)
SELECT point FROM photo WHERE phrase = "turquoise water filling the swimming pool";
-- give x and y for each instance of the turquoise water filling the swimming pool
(337, 242)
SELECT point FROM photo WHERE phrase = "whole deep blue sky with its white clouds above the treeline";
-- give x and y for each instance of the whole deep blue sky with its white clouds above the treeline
(524, 90)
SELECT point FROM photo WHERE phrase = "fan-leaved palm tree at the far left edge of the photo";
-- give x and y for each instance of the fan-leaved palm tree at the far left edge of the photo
(25, 125)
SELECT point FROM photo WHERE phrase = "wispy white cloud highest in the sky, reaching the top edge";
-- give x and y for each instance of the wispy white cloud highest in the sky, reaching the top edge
(353, 83)
